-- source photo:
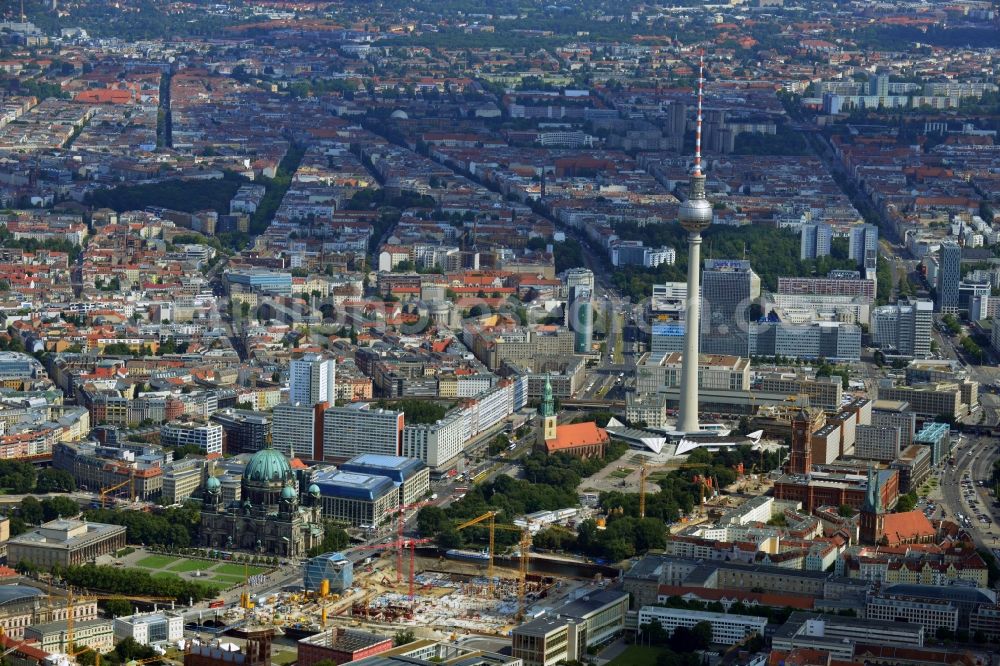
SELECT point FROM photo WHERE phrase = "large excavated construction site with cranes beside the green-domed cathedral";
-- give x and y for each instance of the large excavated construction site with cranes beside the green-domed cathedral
(407, 582)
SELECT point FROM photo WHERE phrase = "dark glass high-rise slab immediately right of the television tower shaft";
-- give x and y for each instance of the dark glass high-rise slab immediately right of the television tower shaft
(728, 288)
